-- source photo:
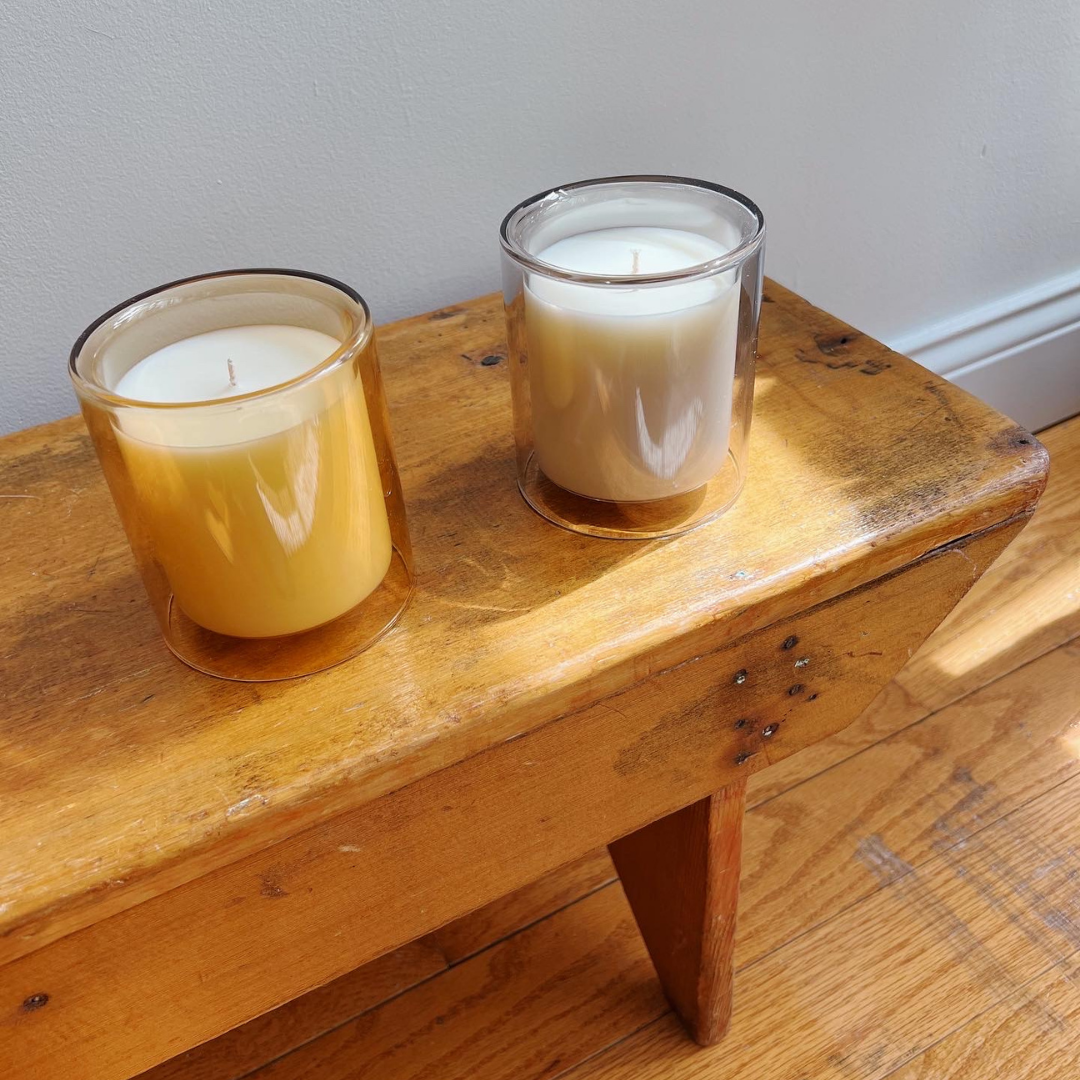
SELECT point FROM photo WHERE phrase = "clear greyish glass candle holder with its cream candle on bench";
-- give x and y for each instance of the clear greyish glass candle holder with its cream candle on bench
(632, 307)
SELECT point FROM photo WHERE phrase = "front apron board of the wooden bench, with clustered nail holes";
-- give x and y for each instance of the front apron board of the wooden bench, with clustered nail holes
(277, 924)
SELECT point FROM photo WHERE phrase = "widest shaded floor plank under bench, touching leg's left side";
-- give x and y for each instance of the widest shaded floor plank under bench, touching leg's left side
(534, 1006)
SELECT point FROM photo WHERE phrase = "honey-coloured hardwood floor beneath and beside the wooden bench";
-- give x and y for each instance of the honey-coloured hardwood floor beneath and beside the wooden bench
(910, 907)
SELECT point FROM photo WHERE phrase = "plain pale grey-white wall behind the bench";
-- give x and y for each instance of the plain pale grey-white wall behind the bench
(914, 160)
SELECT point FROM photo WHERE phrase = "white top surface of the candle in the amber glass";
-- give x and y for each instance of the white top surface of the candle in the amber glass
(198, 369)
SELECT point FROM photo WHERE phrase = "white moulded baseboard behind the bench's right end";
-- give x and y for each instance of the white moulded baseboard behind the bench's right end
(1021, 354)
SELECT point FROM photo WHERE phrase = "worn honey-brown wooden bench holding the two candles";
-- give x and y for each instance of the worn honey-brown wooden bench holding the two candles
(180, 855)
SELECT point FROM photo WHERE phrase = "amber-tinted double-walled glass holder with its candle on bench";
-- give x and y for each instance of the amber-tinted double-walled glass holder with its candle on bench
(240, 422)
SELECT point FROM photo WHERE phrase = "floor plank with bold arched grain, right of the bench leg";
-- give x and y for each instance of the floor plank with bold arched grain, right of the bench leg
(815, 850)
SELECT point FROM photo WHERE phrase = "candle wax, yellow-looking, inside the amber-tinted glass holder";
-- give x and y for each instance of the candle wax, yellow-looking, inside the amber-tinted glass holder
(267, 517)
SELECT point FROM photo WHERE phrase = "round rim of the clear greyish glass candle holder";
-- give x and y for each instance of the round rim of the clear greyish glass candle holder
(731, 260)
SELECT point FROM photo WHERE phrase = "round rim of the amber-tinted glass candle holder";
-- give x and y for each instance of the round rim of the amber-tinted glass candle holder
(348, 348)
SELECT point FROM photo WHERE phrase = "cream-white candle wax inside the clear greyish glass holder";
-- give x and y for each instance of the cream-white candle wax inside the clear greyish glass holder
(631, 388)
